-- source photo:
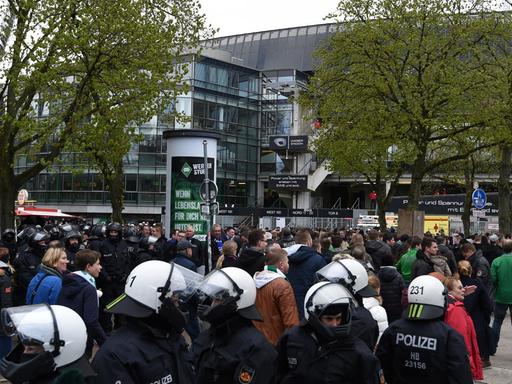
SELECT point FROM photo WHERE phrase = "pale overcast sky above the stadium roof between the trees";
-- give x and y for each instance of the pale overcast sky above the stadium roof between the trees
(241, 16)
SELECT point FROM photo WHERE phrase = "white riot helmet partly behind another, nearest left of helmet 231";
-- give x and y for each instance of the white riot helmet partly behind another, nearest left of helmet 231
(351, 274)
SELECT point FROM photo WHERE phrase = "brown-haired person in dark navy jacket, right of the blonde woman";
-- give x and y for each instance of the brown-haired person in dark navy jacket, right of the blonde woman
(79, 293)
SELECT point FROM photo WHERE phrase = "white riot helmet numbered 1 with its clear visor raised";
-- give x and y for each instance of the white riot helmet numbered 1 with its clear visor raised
(149, 284)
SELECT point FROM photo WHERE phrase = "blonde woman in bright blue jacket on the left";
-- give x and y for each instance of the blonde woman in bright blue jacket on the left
(46, 285)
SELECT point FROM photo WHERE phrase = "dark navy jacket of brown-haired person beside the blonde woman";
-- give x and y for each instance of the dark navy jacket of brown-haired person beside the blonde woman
(81, 296)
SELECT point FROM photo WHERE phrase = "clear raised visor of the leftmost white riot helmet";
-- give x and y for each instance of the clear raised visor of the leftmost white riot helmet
(34, 324)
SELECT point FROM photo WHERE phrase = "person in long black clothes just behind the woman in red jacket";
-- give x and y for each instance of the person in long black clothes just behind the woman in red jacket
(479, 306)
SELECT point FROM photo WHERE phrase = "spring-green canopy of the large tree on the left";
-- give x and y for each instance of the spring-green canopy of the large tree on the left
(70, 68)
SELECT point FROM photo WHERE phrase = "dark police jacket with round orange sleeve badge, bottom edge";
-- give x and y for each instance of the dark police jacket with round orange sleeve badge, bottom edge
(234, 352)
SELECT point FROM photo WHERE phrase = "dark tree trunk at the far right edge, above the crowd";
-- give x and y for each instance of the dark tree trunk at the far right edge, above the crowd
(504, 189)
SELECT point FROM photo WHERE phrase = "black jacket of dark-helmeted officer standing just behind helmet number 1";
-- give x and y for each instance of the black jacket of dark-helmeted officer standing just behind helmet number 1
(115, 260)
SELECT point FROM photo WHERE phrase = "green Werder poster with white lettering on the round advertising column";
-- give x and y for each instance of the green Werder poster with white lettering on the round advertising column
(187, 176)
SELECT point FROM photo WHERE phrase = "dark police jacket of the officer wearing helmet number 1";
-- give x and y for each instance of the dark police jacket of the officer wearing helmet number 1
(140, 354)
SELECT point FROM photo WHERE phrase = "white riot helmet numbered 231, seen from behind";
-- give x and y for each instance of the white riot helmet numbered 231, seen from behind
(427, 298)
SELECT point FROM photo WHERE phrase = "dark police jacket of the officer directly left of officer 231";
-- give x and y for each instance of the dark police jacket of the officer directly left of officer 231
(304, 359)
